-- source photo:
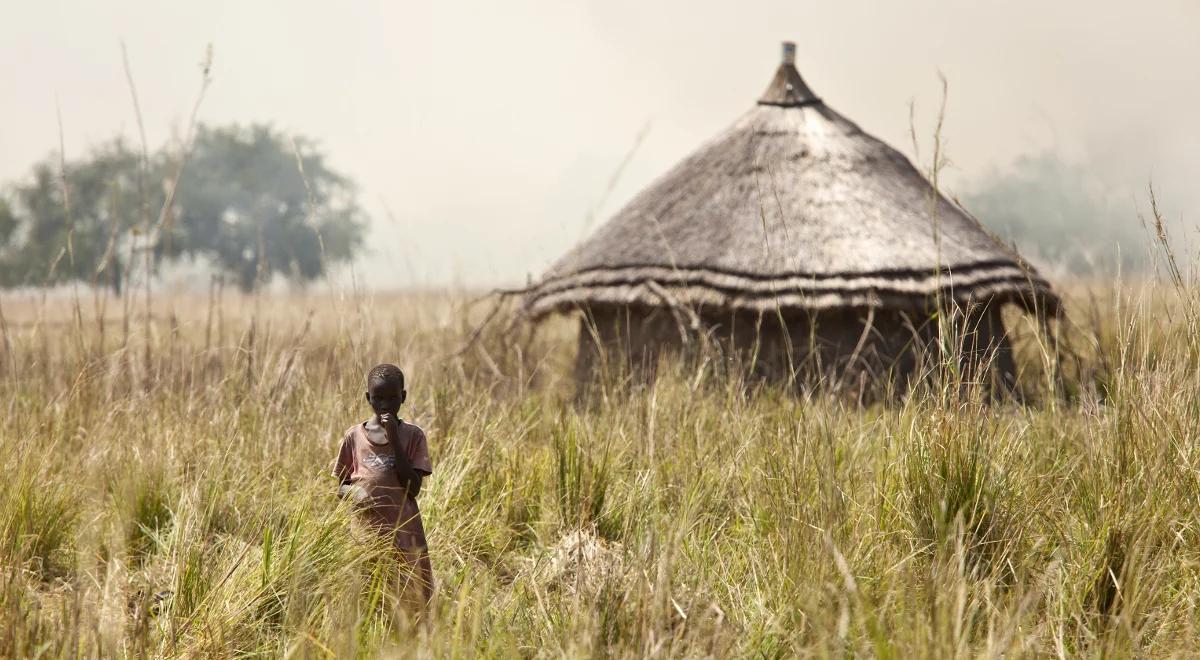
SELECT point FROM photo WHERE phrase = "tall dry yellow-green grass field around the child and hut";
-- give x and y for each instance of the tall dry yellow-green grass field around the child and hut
(167, 494)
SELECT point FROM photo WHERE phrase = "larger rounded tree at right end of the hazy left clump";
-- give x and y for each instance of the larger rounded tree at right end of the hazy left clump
(244, 203)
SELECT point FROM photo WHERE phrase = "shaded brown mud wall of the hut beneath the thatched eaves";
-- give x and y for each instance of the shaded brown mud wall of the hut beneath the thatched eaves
(857, 350)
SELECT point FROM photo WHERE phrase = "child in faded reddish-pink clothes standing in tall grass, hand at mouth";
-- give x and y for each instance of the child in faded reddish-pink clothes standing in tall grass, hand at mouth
(381, 466)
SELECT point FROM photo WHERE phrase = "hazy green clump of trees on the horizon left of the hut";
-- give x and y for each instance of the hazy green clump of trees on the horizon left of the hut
(249, 200)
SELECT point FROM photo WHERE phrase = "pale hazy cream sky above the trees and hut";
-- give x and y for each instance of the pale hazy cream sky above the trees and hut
(491, 130)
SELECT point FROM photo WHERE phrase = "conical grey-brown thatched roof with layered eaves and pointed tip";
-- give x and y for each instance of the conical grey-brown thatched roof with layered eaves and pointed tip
(793, 207)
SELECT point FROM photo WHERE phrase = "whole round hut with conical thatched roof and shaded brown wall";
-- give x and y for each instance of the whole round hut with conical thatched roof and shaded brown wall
(799, 242)
